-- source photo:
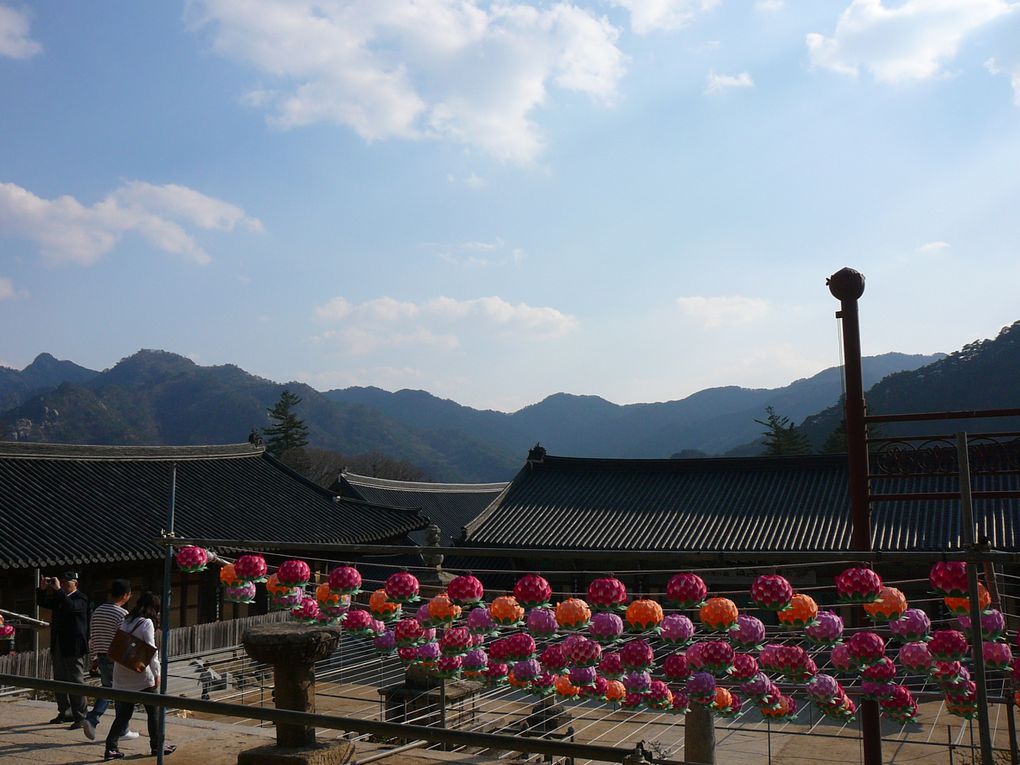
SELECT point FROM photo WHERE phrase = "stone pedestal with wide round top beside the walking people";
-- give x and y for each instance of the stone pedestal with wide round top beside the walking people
(293, 650)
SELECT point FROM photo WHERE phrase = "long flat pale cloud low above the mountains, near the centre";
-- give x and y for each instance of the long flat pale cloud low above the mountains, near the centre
(384, 323)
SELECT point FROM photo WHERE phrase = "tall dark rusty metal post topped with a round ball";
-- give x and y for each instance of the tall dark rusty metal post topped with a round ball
(847, 286)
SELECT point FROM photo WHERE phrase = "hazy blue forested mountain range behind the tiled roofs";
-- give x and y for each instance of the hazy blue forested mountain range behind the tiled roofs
(157, 397)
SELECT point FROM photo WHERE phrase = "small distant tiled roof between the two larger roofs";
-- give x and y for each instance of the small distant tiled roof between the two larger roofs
(450, 506)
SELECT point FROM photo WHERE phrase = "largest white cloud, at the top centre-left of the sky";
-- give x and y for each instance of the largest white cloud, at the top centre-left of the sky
(447, 70)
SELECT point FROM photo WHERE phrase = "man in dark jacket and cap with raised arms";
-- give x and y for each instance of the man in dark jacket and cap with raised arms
(69, 641)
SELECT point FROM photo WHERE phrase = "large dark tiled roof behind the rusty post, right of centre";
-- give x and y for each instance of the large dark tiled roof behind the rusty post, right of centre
(746, 504)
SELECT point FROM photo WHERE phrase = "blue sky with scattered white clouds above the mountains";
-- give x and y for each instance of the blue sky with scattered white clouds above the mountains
(497, 201)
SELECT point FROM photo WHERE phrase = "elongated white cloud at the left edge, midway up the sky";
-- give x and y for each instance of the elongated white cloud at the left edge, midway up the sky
(67, 231)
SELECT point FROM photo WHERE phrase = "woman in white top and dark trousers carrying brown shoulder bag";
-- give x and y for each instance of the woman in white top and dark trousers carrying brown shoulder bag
(141, 623)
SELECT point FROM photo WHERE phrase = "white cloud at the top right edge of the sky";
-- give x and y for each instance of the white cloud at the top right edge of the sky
(908, 41)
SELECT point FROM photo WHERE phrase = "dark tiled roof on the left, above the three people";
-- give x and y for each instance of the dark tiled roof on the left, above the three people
(80, 504)
